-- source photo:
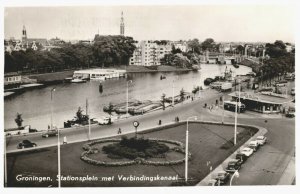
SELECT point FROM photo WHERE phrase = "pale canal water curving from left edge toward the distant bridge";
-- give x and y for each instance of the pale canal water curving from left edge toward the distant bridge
(35, 105)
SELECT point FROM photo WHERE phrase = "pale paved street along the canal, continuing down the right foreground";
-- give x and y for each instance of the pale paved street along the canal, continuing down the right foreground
(265, 167)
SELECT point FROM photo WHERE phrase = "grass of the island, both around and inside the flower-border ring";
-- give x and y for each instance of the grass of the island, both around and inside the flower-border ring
(205, 142)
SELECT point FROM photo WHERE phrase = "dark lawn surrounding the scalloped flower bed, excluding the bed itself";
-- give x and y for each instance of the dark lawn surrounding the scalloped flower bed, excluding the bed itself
(207, 143)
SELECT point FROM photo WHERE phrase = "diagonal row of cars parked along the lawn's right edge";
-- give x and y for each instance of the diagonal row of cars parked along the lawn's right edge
(235, 164)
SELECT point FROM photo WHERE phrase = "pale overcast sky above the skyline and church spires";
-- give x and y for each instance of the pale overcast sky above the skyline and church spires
(265, 23)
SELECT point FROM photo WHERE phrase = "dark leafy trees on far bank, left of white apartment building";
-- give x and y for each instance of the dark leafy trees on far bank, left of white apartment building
(107, 51)
